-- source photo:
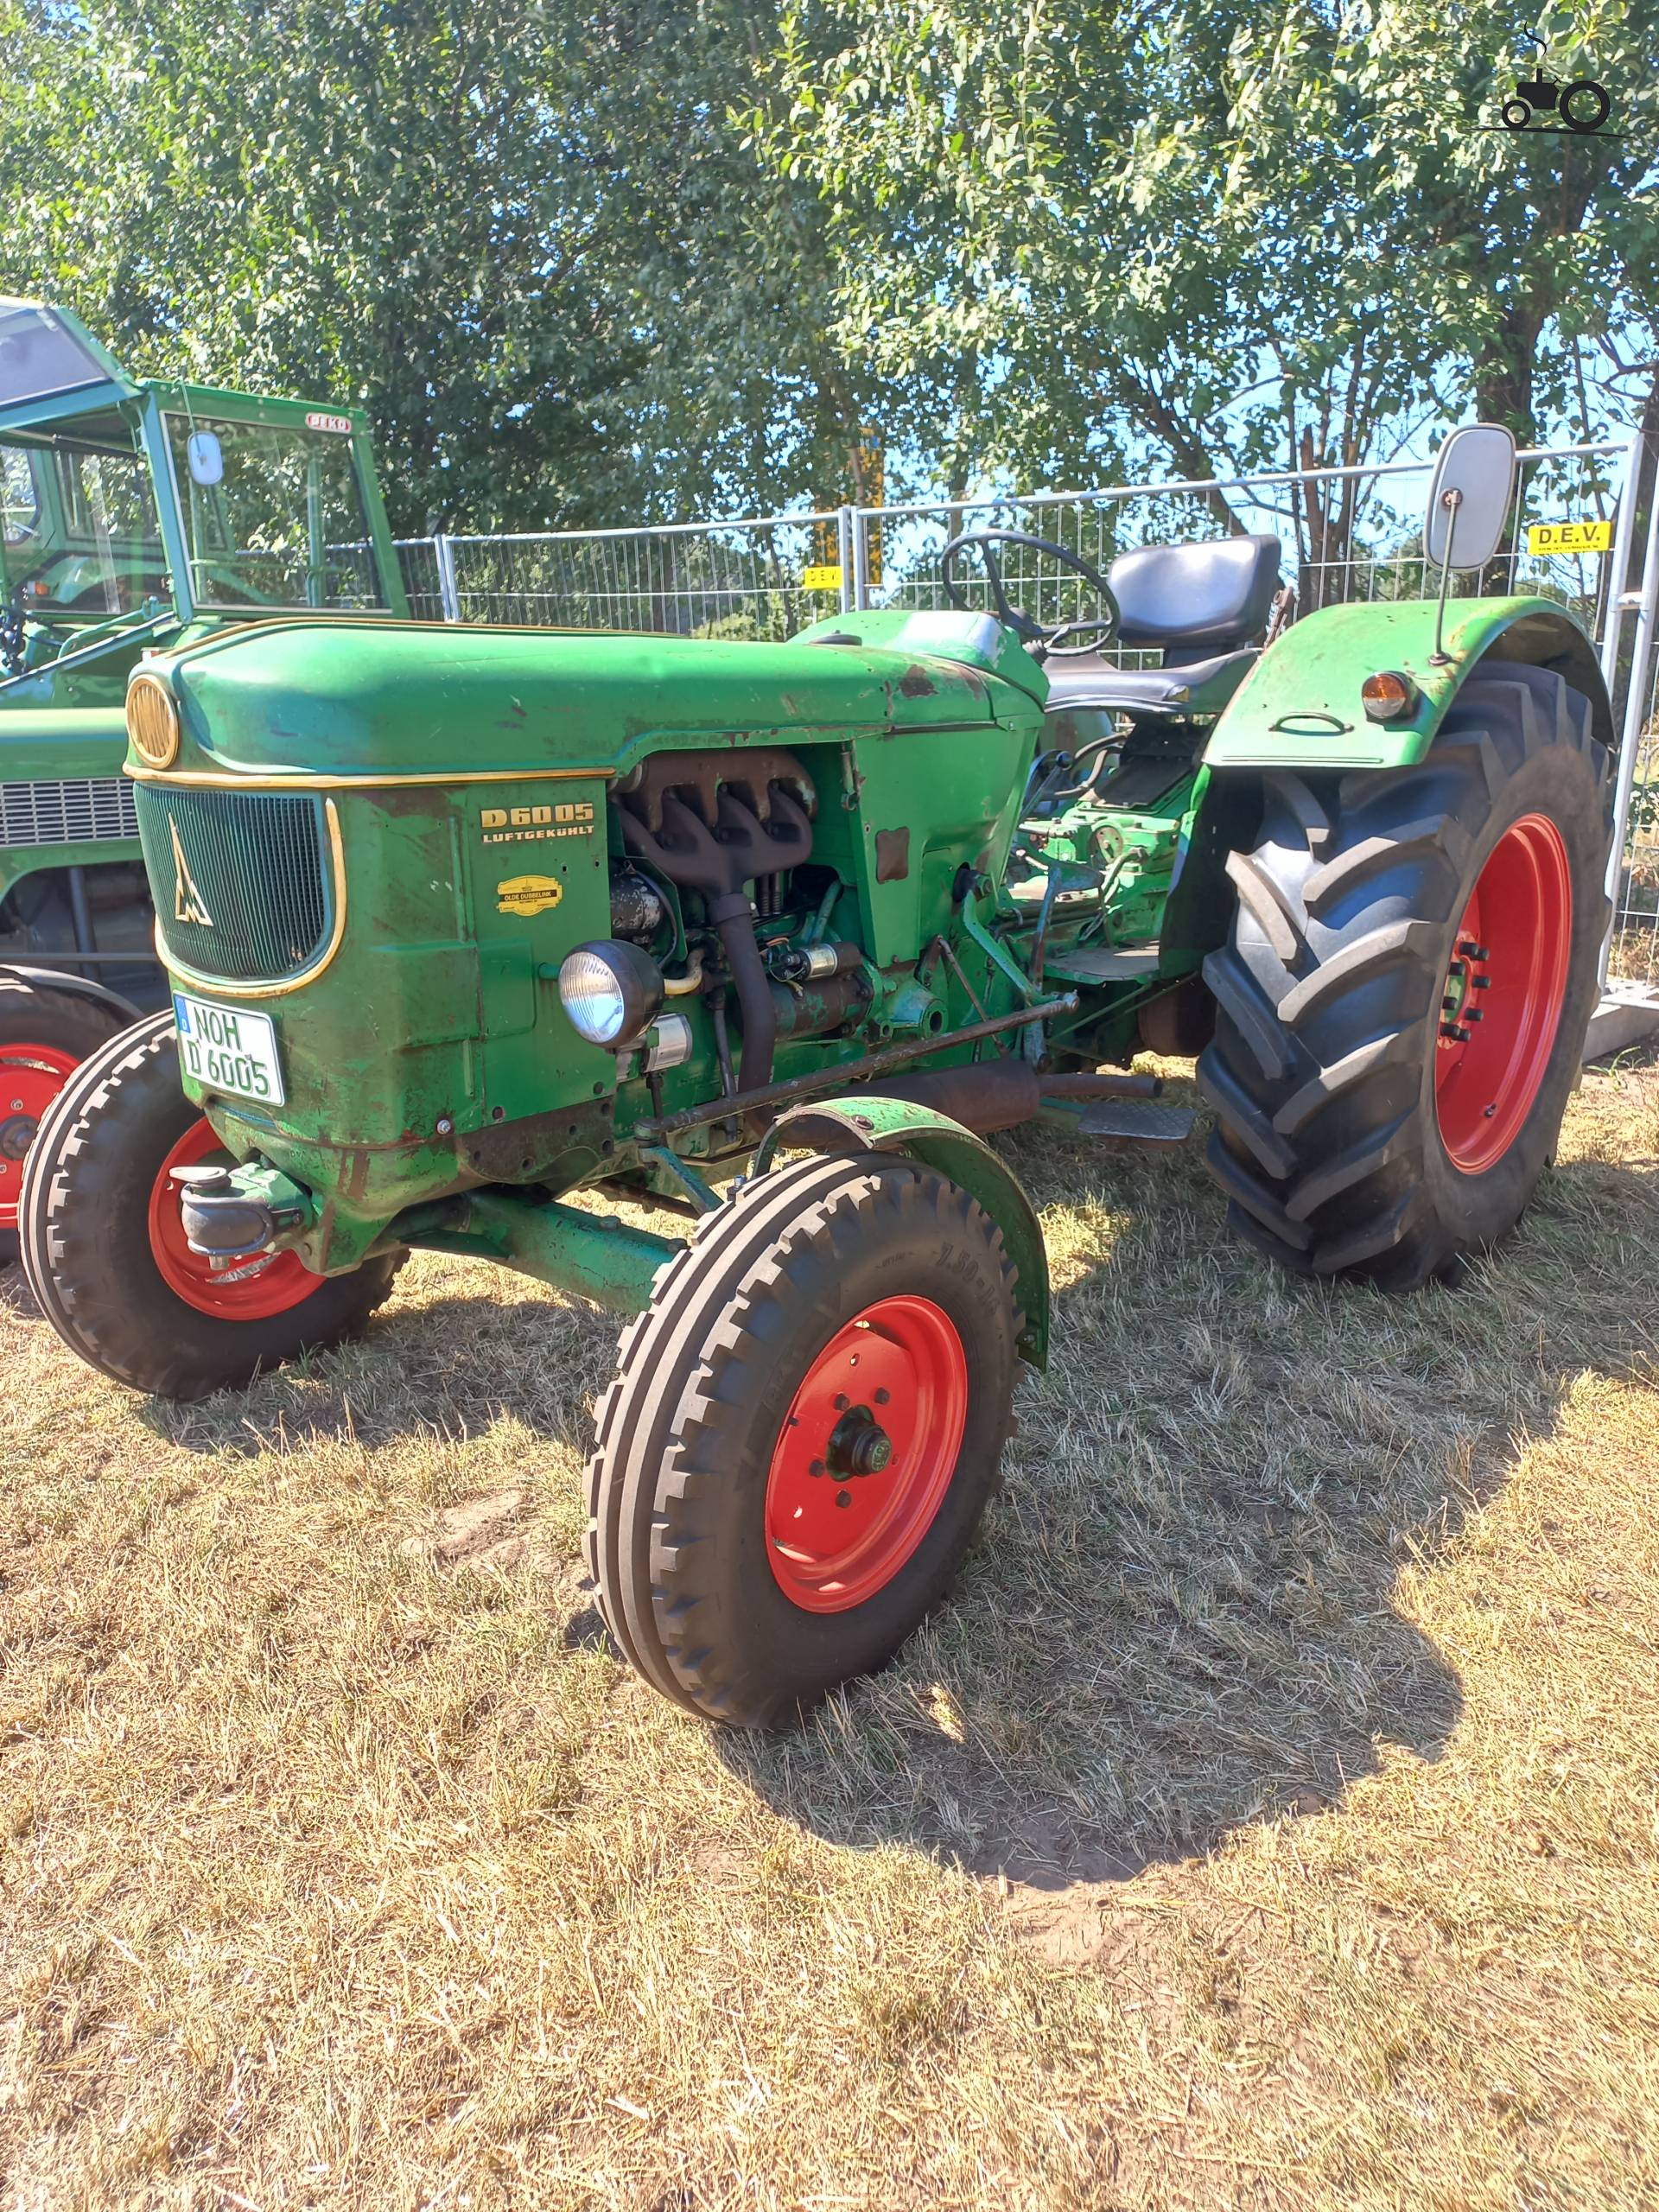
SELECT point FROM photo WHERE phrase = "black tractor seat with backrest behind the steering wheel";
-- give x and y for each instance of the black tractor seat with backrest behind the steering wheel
(1200, 605)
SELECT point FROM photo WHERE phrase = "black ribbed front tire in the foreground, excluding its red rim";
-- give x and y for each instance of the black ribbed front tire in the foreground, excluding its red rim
(705, 1388)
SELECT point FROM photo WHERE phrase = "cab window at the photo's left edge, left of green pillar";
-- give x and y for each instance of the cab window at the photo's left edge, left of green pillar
(79, 532)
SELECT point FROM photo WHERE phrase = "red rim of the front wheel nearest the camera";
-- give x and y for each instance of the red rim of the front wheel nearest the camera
(866, 1454)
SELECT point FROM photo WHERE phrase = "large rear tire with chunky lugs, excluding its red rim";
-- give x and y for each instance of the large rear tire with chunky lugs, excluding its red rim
(1331, 990)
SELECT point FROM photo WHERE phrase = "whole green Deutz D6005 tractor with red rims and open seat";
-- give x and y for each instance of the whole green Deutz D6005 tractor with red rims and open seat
(470, 926)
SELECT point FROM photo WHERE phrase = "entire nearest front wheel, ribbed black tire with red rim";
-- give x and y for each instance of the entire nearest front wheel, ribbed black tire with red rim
(802, 1434)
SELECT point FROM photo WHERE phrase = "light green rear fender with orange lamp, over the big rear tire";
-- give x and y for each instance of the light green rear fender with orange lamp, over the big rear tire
(1302, 702)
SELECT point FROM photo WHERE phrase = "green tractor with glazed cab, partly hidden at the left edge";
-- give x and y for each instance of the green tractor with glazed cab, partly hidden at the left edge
(132, 517)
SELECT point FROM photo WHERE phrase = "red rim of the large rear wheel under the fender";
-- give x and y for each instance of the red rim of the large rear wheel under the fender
(1503, 997)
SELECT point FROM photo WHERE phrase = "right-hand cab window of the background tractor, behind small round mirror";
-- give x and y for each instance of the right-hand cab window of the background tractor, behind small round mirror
(273, 517)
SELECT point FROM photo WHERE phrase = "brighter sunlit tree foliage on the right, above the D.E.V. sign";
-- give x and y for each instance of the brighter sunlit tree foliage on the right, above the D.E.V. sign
(1227, 233)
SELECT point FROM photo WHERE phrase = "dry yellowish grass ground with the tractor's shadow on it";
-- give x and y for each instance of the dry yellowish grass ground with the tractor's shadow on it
(1271, 1822)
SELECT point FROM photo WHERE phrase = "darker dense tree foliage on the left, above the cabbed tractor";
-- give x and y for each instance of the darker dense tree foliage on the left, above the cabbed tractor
(523, 236)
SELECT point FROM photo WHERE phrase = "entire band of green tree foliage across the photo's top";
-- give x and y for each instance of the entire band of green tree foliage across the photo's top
(671, 255)
